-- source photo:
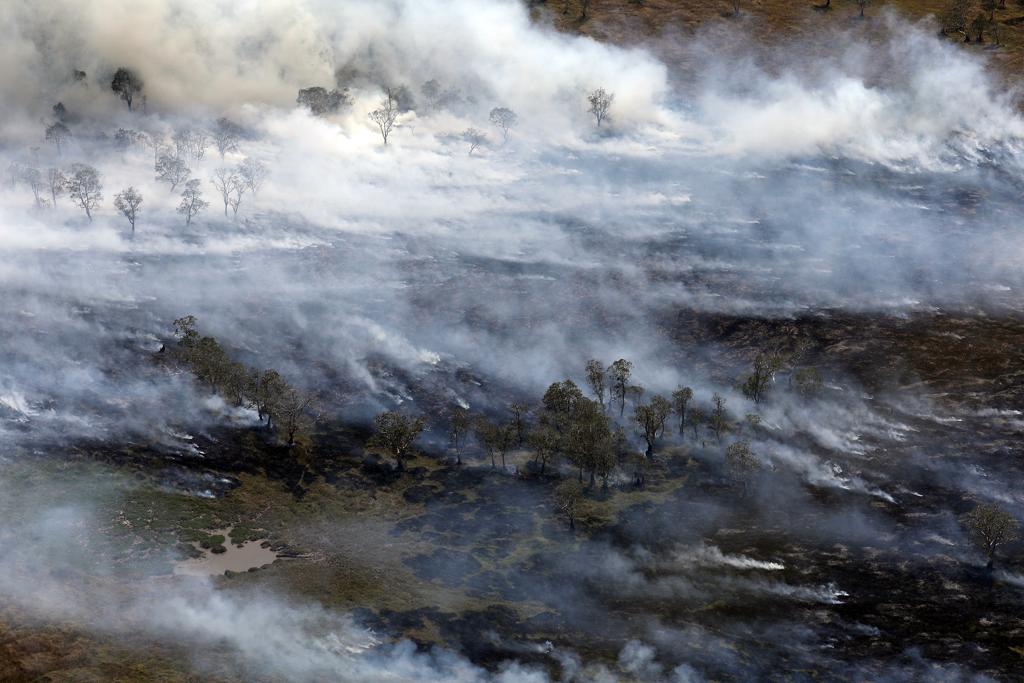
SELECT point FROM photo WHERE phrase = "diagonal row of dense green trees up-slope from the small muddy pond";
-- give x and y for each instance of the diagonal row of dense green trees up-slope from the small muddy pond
(287, 409)
